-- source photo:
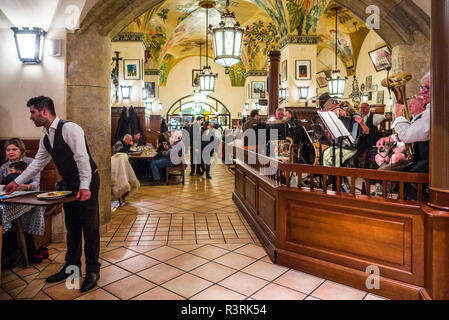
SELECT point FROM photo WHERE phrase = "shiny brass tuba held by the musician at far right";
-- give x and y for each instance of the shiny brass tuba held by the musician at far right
(397, 83)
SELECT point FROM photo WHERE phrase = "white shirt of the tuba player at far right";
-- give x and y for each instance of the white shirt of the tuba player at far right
(414, 131)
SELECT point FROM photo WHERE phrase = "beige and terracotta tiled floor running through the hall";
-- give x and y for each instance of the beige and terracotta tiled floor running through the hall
(179, 242)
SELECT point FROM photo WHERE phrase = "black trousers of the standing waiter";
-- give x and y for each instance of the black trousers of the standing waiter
(83, 218)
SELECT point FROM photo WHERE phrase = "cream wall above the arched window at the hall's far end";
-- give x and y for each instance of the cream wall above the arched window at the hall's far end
(179, 84)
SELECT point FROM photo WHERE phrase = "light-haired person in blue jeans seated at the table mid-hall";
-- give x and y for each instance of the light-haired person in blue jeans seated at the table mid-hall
(170, 157)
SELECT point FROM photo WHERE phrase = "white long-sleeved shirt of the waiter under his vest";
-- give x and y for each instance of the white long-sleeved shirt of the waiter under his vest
(73, 135)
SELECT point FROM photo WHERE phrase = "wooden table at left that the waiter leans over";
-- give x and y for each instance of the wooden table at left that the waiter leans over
(29, 199)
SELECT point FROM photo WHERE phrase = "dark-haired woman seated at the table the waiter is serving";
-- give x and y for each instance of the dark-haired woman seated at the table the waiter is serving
(33, 223)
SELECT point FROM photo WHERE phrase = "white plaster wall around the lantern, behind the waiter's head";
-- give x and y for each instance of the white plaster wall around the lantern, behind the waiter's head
(20, 82)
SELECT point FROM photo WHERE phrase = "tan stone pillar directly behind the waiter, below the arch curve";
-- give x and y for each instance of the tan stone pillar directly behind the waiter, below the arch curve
(88, 102)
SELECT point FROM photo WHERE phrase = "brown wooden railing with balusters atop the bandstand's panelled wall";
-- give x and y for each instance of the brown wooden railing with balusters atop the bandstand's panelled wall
(323, 178)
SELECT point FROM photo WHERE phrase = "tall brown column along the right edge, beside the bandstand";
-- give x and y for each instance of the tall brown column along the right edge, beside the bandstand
(437, 211)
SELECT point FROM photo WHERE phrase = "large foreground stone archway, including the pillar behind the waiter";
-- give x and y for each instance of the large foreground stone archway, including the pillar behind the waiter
(89, 54)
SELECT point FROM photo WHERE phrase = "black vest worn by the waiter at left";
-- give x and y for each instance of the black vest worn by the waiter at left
(62, 156)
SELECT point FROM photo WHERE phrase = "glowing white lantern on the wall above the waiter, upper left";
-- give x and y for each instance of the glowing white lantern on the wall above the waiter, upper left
(29, 44)
